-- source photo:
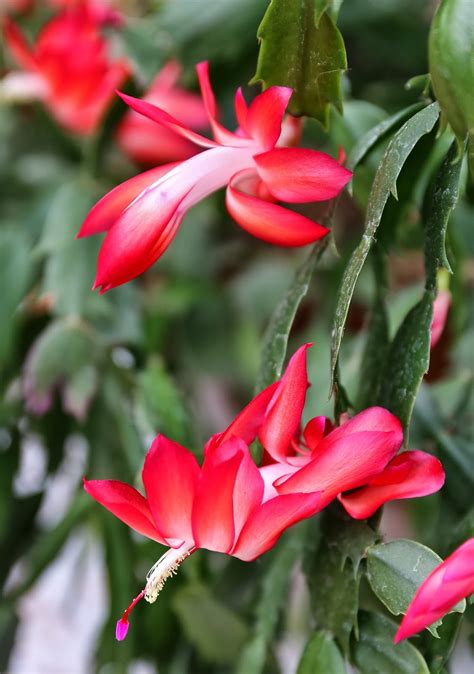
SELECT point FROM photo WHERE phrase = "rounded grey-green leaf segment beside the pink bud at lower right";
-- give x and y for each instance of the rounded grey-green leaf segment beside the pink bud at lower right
(396, 569)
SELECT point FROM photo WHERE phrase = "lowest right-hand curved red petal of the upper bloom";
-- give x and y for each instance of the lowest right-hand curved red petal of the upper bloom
(268, 221)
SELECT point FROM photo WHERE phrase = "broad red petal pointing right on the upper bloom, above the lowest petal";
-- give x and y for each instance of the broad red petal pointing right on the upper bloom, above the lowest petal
(298, 175)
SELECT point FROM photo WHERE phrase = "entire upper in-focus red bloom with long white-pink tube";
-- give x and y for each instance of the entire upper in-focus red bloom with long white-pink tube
(142, 215)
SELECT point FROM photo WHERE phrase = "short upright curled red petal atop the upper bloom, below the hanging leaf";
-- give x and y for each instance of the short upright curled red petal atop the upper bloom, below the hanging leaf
(265, 116)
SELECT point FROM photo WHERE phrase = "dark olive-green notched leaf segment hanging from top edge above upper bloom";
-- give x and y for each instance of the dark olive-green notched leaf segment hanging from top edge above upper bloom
(304, 50)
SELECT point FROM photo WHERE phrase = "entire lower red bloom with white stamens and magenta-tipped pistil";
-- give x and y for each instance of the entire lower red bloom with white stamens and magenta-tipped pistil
(232, 506)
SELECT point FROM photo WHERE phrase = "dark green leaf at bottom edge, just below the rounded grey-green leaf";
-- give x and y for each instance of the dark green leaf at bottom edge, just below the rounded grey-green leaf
(375, 653)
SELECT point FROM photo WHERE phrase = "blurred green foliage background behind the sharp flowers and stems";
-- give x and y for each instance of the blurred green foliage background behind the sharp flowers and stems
(88, 380)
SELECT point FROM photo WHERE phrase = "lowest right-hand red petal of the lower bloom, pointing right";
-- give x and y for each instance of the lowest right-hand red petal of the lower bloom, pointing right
(408, 475)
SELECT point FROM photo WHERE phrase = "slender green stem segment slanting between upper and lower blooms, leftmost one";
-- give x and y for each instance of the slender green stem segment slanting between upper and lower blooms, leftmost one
(275, 340)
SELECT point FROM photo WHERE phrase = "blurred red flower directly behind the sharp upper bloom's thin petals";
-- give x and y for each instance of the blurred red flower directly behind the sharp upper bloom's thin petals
(149, 143)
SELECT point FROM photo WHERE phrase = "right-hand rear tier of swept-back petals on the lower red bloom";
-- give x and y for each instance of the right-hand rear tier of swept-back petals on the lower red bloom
(358, 455)
